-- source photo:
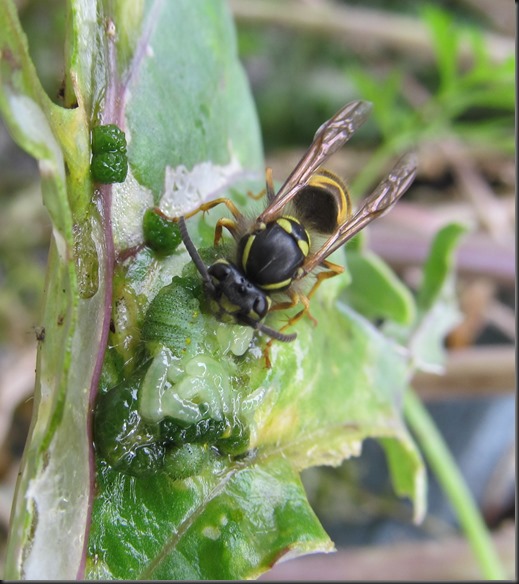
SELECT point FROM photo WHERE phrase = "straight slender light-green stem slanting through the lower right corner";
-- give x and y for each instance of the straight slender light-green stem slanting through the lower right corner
(450, 478)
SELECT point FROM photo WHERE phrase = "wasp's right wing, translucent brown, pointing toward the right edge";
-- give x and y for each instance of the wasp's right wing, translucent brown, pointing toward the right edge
(381, 200)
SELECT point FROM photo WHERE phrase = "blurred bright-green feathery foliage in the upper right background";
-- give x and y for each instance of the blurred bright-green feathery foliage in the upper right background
(298, 79)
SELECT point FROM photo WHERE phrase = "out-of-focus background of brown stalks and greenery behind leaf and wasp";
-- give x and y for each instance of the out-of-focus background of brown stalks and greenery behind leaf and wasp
(441, 76)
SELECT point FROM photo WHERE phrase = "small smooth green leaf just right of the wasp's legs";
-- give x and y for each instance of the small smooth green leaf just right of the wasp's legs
(375, 290)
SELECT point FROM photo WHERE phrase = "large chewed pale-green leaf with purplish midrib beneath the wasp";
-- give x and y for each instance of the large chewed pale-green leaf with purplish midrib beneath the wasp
(167, 75)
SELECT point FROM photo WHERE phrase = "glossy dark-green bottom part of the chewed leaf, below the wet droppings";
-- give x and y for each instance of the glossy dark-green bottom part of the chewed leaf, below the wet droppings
(225, 524)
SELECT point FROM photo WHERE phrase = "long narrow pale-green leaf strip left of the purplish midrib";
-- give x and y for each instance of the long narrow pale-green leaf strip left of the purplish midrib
(55, 464)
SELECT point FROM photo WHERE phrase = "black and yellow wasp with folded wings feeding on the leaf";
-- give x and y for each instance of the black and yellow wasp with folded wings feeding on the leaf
(304, 222)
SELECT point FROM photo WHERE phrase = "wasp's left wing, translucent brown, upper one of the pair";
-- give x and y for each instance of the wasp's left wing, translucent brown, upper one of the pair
(328, 139)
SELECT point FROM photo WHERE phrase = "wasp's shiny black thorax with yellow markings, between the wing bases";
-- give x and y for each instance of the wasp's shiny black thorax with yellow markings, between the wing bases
(271, 256)
